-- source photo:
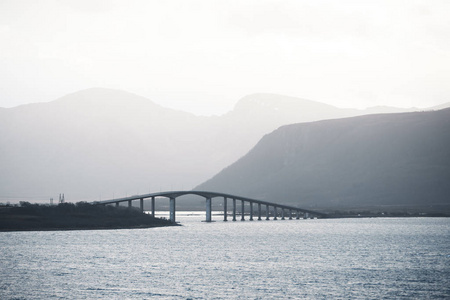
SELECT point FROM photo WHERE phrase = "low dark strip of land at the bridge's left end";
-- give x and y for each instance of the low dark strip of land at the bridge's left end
(79, 216)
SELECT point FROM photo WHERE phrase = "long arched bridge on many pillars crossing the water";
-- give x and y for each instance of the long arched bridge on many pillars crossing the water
(285, 210)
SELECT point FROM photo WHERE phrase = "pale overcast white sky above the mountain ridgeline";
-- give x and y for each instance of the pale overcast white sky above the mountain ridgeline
(203, 56)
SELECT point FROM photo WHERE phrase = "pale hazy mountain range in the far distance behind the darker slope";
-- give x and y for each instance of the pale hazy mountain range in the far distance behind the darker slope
(102, 143)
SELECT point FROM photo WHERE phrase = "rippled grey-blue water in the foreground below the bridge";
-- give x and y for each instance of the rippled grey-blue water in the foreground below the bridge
(291, 259)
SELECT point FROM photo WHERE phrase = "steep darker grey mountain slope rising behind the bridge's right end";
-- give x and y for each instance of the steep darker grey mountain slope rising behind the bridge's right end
(385, 160)
